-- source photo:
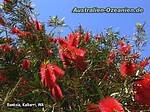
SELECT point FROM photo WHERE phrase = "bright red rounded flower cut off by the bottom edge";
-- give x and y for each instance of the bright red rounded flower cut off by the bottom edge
(109, 104)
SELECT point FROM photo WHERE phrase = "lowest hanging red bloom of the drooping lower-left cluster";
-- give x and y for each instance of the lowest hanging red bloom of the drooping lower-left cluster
(57, 93)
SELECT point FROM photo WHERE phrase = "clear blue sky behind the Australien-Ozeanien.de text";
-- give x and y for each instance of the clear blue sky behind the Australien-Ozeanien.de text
(123, 22)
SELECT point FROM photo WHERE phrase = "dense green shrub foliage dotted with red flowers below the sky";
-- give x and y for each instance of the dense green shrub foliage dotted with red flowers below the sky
(71, 73)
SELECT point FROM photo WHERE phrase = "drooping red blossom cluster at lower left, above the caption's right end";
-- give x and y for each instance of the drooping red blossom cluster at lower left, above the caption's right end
(49, 73)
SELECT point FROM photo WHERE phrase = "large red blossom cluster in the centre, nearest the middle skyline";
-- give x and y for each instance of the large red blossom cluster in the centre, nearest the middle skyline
(69, 51)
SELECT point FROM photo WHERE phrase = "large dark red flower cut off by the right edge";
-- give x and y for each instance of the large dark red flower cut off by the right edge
(142, 90)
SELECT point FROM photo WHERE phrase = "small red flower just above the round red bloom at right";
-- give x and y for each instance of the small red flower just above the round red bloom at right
(124, 50)
